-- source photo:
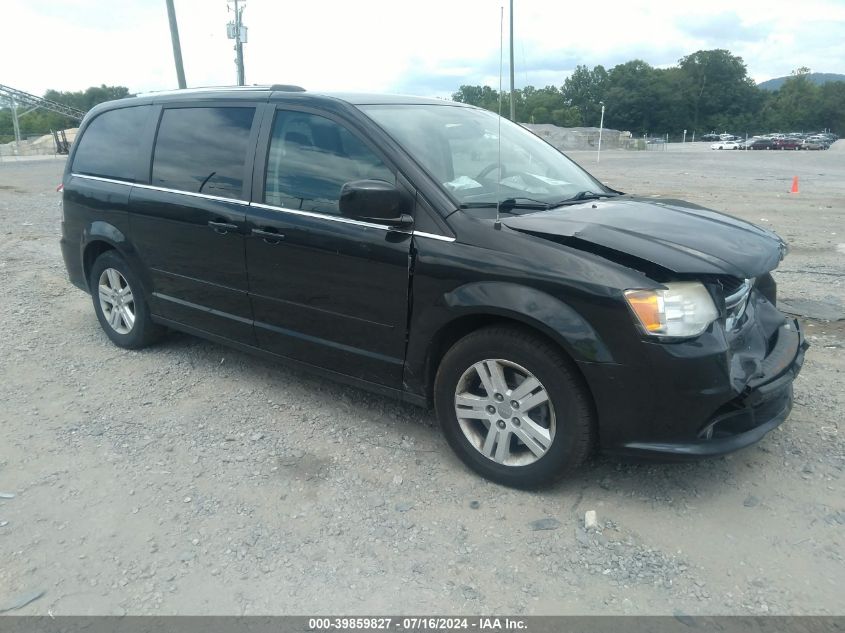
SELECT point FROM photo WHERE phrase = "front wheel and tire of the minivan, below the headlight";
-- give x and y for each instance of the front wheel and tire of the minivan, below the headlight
(513, 407)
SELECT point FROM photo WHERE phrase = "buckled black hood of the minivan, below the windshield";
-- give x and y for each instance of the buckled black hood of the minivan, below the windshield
(675, 235)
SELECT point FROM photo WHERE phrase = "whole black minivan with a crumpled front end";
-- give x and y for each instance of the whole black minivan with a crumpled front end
(437, 253)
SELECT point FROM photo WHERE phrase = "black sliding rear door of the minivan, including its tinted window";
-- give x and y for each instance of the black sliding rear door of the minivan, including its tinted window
(188, 223)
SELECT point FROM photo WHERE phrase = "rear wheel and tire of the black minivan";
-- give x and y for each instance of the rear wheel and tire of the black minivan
(120, 304)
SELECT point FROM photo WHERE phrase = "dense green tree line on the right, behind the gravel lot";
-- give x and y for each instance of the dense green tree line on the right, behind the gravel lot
(707, 91)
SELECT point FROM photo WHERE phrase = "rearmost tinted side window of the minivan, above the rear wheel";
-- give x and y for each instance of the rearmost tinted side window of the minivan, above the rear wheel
(110, 144)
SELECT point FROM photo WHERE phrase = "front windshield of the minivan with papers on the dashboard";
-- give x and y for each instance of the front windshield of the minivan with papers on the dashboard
(459, 146)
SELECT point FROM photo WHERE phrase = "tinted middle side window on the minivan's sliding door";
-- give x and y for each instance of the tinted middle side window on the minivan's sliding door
(202, 150)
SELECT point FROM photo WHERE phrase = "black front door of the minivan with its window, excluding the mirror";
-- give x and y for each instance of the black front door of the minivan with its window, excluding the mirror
(326, 290)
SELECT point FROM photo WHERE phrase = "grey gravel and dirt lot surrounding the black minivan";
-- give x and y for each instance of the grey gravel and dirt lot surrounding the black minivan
(191, 479)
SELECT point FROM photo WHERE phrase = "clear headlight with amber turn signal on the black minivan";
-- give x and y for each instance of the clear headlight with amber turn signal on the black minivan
(683, 308)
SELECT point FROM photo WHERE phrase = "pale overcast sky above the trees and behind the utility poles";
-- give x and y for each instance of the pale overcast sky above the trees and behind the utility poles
(425, 48)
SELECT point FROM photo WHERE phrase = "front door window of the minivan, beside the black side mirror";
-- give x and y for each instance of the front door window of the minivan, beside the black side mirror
(310, 159)
